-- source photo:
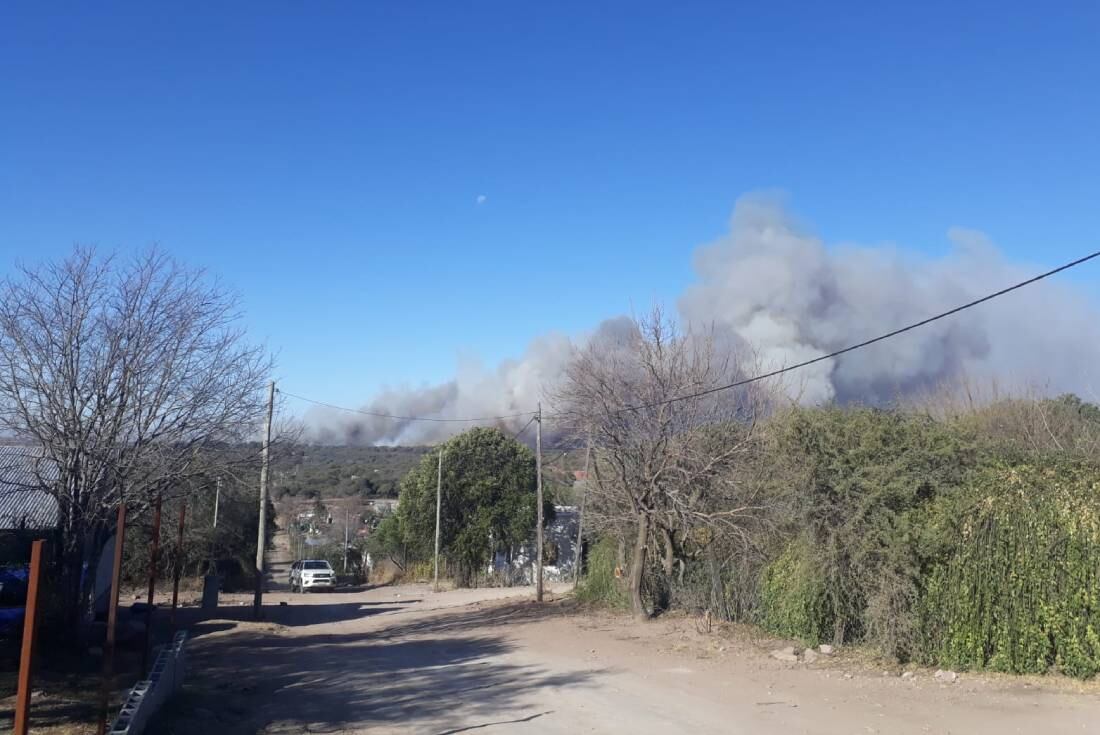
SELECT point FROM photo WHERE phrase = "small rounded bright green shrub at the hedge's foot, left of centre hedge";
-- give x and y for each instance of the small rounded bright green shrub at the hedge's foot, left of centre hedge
(794, 604)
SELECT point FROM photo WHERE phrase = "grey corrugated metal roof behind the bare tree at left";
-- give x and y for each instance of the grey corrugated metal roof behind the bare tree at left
(24, 503)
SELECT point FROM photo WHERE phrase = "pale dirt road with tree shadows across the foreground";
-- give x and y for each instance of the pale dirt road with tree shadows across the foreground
(406, 661)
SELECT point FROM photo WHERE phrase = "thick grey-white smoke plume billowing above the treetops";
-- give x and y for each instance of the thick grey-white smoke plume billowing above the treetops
(778, 288)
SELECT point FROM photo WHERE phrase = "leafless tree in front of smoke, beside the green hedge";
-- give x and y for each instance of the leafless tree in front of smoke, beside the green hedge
(668, 446)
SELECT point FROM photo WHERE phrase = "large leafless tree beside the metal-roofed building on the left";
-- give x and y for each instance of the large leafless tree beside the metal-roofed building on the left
(123, 375)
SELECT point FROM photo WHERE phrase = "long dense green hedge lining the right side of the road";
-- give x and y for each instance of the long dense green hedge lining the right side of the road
(967, 541)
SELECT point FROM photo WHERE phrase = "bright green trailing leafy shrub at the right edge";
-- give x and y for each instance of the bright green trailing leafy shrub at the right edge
(1021, 590)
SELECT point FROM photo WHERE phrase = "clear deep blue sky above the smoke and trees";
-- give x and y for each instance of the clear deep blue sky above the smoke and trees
(327, 163)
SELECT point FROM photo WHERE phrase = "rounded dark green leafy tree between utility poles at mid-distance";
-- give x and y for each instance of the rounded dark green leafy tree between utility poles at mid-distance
(489, 501)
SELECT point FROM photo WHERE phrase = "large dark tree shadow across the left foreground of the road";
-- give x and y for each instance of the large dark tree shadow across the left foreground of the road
(433, 676)
